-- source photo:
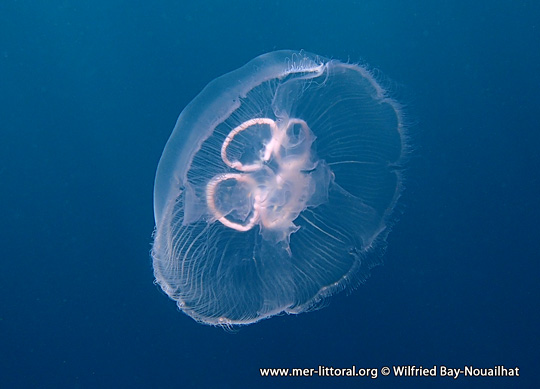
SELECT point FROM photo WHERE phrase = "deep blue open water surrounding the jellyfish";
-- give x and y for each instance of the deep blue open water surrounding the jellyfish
(89, 94)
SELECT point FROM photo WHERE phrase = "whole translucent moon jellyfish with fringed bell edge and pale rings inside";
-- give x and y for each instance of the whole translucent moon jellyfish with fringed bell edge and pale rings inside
(276, 188)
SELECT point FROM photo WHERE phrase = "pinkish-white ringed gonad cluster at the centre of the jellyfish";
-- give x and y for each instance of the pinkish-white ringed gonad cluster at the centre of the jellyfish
(277, 194)
